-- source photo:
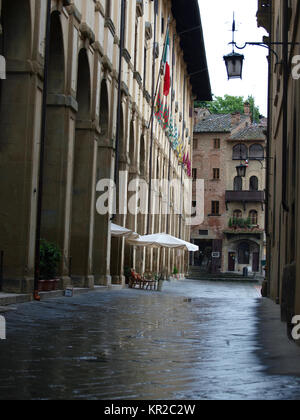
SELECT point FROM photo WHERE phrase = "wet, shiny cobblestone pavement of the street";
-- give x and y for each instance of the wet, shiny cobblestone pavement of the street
(196, 340)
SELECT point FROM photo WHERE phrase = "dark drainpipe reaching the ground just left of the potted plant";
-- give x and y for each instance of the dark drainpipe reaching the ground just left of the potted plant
(41, 157)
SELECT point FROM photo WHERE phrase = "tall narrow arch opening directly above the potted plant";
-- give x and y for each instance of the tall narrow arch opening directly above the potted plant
(56, 142)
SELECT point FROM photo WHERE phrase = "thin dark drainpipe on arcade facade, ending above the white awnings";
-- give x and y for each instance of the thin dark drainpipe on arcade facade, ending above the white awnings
(119, 105)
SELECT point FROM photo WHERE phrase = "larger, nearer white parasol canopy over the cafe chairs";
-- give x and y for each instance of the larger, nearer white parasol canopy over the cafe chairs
(163, 240)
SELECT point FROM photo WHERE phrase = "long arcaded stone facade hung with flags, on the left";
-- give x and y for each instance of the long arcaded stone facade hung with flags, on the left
(81, 132)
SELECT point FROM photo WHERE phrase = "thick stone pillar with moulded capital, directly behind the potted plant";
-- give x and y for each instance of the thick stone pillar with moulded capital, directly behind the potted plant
(58, 175)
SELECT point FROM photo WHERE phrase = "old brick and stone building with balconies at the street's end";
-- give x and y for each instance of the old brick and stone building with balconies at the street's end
(219, 143)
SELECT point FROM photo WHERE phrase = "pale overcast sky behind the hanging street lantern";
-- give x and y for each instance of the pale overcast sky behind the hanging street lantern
(217, 17)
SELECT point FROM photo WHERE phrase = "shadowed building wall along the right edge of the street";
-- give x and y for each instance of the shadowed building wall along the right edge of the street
(281, 20)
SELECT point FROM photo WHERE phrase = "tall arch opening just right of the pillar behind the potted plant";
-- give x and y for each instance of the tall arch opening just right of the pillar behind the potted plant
(83, 180)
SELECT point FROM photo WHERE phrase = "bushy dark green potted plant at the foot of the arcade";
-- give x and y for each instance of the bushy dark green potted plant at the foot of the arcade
(50, 259)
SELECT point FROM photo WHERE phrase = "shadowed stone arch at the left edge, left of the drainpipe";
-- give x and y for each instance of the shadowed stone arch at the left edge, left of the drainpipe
(18, 121)
